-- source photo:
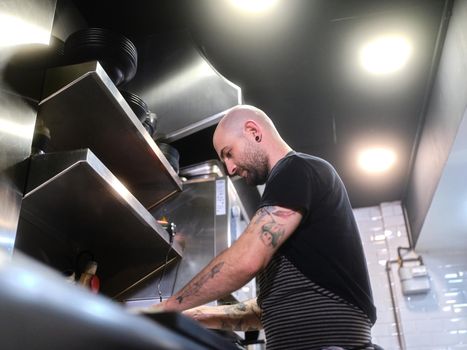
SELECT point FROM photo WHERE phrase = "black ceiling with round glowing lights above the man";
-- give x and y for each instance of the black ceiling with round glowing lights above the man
(297, 63)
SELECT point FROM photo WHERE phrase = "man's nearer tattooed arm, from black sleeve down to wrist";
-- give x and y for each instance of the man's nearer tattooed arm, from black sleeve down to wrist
(237, 265)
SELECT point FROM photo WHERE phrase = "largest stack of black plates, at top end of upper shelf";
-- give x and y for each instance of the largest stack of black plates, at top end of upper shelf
(116, 53)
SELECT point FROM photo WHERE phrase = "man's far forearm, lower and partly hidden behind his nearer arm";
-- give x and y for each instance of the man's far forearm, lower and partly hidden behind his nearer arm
(244, 316)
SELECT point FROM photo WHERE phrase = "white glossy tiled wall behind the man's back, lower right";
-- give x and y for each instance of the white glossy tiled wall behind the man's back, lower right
(436, 320)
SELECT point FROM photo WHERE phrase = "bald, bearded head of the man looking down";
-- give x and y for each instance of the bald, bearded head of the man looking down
(248, 143)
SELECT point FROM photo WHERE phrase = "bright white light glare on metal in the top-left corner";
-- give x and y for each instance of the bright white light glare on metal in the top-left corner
(15, 31)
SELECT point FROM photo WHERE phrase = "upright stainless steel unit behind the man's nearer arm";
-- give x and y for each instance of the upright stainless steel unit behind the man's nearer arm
(209, 216)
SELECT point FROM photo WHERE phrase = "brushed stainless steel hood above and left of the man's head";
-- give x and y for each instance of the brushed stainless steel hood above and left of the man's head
(180, 86)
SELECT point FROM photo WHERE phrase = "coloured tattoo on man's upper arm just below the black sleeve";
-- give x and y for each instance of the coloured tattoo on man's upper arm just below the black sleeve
(271, 231)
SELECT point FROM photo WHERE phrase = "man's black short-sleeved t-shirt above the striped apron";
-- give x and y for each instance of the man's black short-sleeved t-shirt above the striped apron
(326, 247)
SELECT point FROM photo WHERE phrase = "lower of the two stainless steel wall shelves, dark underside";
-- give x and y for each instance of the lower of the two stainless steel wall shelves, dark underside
(74, 201)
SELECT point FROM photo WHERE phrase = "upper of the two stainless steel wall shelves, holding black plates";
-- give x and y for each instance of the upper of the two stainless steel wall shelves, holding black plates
(84, 109)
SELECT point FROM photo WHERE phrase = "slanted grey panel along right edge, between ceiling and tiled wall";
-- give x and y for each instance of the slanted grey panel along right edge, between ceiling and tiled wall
(444, 112)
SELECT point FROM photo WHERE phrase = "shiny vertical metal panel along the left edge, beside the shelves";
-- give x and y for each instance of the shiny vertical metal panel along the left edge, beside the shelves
(17, 116)
